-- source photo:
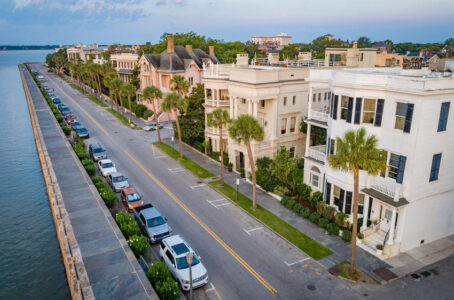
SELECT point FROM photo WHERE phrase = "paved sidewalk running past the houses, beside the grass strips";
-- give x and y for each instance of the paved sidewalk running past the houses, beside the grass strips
(341, 250)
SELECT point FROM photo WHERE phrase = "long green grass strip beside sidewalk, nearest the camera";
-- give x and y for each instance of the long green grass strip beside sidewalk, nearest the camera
(290, 233)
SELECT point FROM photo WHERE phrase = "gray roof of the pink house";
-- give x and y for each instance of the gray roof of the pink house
(179, 60)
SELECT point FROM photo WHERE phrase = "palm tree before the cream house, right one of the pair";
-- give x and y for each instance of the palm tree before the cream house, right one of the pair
(244, 129)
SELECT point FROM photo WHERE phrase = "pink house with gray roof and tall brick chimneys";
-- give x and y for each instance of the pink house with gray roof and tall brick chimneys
(158, 69)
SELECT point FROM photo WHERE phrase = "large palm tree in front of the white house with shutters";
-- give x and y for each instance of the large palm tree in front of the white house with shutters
(355, 152)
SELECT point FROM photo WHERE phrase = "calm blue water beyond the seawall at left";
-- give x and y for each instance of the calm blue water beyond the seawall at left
(30, 260)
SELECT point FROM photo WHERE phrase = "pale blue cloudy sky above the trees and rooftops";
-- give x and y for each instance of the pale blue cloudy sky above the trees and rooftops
(39, 22)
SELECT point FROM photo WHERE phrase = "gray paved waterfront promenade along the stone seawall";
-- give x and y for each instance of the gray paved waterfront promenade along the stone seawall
(105, 266)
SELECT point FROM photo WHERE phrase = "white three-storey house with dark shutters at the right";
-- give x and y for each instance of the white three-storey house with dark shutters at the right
(412, 203)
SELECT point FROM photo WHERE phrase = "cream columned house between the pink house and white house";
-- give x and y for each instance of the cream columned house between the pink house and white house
(276, 96)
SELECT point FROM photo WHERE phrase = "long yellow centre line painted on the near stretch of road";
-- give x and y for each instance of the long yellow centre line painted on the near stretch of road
(204, 226)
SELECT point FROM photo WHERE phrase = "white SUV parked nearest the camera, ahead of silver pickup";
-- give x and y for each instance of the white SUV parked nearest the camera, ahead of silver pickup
(173, 251)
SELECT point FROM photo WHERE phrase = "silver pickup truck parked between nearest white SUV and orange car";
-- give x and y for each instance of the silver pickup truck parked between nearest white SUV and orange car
(153, 225)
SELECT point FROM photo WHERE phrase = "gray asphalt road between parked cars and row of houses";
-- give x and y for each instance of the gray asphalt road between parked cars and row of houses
(244, 259)
